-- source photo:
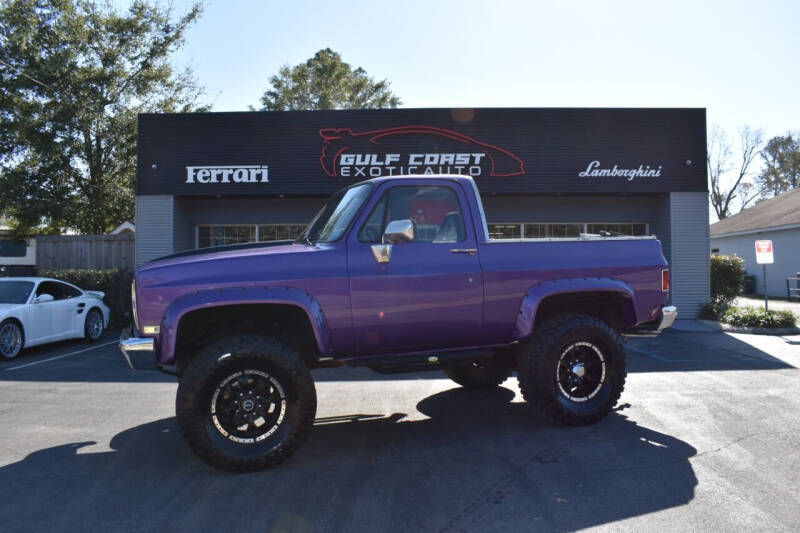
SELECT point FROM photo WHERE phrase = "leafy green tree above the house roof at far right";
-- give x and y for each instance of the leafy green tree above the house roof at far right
(781, 170)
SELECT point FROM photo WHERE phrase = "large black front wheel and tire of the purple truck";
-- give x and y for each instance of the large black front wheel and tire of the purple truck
(246, 403)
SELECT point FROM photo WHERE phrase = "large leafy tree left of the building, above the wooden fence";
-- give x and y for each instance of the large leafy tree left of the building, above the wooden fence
(73, 76)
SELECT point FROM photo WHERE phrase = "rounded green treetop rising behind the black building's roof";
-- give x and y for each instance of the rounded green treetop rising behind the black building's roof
(326, 82)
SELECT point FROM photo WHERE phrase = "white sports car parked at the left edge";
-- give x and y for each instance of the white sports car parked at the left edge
(40, 310)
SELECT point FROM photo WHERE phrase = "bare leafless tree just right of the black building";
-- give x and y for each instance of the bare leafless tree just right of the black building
(720, 162)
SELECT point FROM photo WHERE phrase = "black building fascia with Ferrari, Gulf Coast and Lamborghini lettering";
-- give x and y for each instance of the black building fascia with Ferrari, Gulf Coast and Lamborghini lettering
(507, 151)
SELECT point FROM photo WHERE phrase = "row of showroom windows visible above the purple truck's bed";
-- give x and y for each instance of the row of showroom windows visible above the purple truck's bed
(541, 230)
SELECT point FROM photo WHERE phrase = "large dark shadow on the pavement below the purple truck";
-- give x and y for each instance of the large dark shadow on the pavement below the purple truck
(478, 462)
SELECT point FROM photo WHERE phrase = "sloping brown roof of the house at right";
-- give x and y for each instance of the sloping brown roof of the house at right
(778, 212)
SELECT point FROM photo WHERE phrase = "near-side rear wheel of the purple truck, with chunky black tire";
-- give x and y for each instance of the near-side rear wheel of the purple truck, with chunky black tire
(572, 369)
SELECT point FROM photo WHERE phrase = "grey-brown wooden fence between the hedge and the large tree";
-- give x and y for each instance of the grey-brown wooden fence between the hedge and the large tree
(59, 252)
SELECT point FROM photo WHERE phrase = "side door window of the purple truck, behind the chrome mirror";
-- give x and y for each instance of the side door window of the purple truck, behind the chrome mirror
(435, 211)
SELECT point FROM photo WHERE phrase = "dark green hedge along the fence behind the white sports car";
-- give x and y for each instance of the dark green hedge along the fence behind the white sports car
(116, 283)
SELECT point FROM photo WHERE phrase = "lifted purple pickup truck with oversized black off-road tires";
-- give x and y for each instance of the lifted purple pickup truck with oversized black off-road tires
(395, 274)
